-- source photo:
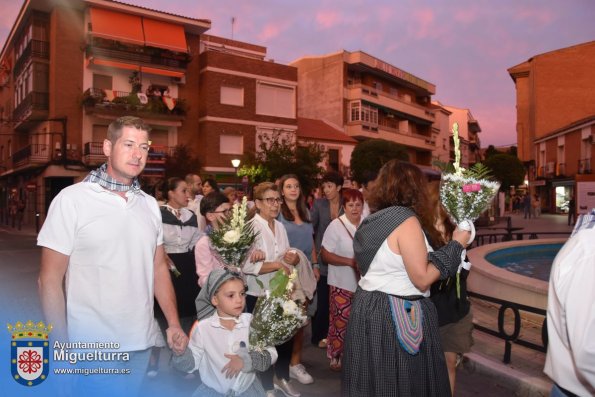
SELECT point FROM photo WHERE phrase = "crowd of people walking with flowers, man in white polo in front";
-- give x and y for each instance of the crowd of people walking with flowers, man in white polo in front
(382, 258)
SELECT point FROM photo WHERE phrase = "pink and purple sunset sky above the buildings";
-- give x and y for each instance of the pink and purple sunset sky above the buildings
(463, 47)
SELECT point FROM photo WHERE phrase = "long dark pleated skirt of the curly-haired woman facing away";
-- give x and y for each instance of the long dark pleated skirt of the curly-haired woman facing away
(375, 364)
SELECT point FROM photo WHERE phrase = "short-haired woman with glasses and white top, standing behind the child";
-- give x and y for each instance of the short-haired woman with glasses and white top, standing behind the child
(273, 242)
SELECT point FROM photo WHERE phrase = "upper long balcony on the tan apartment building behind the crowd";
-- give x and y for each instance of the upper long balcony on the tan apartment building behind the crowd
(390, 102)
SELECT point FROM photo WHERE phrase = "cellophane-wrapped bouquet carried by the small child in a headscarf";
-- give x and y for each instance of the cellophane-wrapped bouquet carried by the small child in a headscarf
(277, 315)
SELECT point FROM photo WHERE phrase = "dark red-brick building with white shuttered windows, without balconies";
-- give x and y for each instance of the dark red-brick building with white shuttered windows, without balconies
(242, 96)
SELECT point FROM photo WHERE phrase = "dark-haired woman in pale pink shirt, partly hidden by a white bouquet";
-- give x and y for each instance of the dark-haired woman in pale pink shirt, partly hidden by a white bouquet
(215, 206)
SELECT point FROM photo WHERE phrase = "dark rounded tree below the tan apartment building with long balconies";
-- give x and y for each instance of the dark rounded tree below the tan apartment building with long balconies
(370, 155)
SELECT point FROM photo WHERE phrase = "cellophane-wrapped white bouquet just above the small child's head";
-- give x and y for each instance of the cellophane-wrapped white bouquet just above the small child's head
(232, 241)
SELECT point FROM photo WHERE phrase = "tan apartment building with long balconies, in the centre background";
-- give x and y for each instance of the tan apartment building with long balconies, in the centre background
(369, 98)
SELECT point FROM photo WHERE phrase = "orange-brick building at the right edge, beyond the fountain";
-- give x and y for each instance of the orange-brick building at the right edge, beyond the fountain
(555, 115)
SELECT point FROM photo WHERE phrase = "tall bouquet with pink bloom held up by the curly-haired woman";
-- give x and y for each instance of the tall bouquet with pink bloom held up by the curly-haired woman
(465, 194)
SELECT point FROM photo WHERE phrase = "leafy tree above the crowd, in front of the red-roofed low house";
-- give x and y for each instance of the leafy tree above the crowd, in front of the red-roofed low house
(279, 154)
